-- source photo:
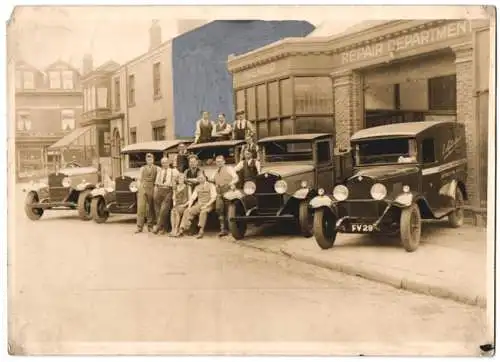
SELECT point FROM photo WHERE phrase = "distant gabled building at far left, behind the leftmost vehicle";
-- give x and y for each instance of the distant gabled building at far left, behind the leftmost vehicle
(48, 105)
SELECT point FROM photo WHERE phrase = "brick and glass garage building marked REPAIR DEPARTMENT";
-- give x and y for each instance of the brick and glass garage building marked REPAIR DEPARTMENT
(396, 71)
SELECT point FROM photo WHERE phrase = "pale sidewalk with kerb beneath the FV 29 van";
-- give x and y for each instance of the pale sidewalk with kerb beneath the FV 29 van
(450, 263)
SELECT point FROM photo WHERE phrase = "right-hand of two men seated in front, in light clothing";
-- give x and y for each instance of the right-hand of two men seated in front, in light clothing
(205, 195)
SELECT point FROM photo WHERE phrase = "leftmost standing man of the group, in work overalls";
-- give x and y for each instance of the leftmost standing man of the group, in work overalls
(145, 194)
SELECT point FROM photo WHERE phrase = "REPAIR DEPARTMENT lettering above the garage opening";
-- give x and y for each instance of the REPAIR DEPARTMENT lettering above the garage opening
(424, 37)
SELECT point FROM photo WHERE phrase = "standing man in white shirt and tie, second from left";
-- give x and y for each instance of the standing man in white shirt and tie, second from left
(164, 194)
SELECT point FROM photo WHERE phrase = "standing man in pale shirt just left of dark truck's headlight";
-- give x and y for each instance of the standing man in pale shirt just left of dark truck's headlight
(224, 178)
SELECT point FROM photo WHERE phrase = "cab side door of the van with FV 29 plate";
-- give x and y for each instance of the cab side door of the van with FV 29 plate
(431, 177)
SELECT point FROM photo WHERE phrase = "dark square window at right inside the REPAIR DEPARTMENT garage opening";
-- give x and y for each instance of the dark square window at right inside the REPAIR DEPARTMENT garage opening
(443, 93)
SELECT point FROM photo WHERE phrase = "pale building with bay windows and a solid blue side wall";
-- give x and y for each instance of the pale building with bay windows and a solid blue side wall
(159, 94)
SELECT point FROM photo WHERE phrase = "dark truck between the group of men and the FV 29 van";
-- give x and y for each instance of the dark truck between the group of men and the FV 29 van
(294, 169)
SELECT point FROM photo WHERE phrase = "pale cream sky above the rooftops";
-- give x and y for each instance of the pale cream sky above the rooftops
(43, 35)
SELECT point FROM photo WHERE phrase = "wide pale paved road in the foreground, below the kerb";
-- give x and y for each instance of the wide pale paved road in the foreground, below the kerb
(75, 281)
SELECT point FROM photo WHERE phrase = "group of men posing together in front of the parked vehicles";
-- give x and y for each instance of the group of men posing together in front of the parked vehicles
(171, 197)
